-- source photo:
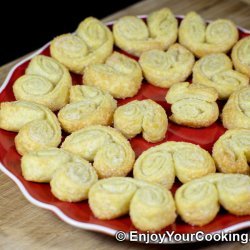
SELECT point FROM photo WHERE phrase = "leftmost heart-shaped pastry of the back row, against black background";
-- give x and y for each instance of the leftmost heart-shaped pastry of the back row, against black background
(91, 43)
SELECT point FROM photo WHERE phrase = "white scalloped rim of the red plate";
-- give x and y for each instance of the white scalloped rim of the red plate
(56, 210)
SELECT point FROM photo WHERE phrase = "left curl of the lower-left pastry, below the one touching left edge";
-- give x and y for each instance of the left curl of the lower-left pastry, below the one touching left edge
(40, 165)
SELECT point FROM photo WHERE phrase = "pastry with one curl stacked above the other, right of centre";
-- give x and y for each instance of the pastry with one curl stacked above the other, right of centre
(193, 105)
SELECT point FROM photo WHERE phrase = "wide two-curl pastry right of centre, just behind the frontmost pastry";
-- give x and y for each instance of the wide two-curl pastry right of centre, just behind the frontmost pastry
(160, 164)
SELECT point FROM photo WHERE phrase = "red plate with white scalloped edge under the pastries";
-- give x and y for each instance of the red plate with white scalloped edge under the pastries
(79, 214)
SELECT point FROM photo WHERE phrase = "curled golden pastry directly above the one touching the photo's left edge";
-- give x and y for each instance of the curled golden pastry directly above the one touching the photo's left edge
(46, 82)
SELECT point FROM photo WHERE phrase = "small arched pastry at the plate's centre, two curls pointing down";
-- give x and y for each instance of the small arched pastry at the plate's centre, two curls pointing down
(146, 117)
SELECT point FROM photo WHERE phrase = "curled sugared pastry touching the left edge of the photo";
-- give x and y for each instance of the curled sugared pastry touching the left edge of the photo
(37, 126)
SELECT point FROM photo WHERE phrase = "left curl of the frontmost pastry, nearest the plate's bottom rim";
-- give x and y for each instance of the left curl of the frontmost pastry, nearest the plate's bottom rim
(110, 198)
